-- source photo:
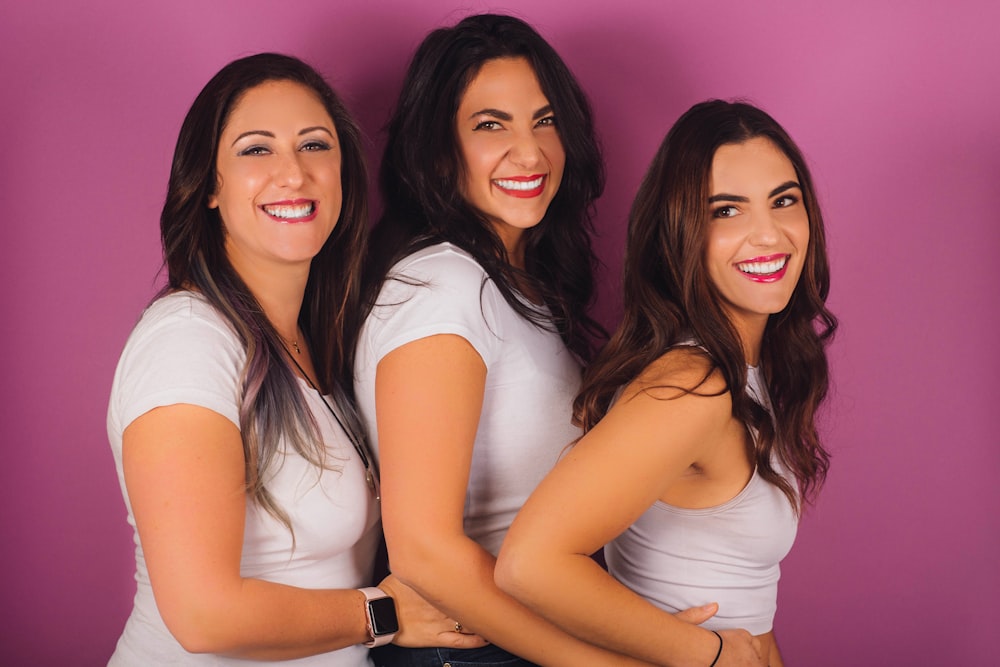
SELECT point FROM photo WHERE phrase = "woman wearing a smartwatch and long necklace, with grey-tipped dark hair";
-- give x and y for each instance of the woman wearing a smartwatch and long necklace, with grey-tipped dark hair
(239, 451)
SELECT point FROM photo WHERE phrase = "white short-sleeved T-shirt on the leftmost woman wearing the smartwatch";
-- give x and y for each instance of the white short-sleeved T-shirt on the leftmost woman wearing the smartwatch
(182, 351)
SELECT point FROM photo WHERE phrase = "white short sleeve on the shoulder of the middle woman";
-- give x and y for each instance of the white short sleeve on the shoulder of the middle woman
(440, 290)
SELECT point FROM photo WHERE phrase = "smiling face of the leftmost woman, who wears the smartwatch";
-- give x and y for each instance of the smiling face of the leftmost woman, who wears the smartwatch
(278, 173)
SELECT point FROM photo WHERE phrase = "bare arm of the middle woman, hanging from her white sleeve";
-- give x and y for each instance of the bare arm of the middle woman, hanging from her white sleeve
(429, 395)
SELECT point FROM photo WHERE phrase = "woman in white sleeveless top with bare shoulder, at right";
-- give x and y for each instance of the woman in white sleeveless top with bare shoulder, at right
(701, 444)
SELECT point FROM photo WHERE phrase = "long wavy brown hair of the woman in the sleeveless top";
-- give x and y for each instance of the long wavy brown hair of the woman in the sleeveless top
(669, 299)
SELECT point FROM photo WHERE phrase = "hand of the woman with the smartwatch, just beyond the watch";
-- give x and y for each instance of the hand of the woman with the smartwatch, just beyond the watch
(421, 624)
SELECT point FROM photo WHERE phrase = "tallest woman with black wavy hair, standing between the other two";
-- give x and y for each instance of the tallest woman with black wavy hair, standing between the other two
(481, 275)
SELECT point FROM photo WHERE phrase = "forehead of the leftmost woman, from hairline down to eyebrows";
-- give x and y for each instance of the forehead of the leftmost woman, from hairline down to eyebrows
(277, 103)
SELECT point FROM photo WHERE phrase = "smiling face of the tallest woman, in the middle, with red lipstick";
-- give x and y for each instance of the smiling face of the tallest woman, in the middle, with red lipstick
(512, 155)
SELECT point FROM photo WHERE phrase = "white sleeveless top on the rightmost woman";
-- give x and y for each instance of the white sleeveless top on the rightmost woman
(680, 558)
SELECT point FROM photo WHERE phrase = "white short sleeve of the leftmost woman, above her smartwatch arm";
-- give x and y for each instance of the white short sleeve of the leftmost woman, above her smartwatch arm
(180, 352)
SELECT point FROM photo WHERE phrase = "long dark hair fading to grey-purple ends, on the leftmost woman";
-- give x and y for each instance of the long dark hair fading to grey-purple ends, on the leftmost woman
(271, 403)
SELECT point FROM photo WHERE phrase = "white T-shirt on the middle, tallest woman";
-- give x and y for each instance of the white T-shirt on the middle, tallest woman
(531, 377)
